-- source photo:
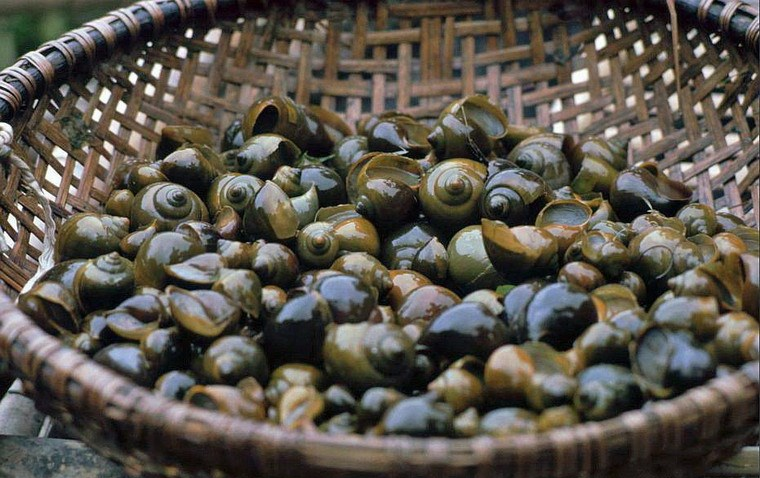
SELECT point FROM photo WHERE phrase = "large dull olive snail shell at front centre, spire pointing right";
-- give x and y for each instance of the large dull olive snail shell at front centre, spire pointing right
(367, 355)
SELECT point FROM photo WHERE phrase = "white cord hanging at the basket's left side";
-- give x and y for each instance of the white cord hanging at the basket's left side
(8, 157)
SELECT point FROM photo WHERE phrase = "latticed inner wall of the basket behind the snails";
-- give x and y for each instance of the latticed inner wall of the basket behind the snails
(583, 70)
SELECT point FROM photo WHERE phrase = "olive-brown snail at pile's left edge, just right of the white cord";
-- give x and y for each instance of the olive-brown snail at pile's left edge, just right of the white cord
(89, 235)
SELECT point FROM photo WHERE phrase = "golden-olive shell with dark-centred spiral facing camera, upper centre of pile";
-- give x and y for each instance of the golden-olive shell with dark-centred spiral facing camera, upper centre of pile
(450, 193)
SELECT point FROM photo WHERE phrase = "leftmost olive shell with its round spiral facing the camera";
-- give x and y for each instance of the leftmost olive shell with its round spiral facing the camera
(168, 204)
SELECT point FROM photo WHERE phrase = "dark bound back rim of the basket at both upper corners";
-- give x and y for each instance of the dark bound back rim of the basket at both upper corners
(79, 49)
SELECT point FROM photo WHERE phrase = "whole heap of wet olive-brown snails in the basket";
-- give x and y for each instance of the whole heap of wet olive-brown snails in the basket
(473, 277)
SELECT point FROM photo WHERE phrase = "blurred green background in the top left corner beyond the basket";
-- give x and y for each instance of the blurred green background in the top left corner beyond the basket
(25, 24)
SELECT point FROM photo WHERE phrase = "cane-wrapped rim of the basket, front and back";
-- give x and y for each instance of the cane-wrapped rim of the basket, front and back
(50, 366)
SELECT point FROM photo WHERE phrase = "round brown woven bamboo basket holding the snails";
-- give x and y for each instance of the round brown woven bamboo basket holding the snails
(83, 104)
